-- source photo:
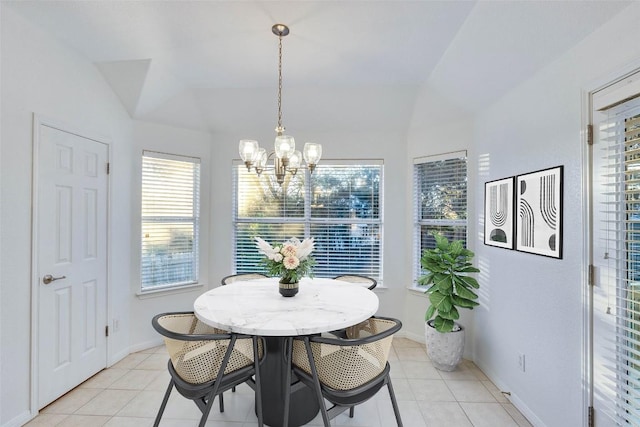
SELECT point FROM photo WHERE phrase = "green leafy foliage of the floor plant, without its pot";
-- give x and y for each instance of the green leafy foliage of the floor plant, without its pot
(450, 286)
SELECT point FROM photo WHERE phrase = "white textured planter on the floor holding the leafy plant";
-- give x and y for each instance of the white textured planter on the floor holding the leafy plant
(444, 350)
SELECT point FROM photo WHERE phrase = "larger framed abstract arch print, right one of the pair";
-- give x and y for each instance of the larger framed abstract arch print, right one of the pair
(539, 212)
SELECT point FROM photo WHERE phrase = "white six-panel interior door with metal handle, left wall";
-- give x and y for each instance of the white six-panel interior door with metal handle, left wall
(71, 245)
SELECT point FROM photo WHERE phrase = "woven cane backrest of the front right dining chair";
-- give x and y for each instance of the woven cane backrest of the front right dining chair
(347, 366)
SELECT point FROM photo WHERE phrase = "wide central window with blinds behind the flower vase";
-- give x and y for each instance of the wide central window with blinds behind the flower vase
(339, 205)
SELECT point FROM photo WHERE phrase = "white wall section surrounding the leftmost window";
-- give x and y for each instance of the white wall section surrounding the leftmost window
(166, 139)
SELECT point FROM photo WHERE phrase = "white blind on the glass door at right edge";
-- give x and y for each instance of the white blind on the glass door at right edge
(617, 297)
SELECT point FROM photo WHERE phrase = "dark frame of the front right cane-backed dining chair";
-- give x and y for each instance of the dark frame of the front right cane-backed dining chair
(347, 397)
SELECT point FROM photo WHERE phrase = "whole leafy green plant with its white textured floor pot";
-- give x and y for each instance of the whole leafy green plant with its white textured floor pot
(448, 266)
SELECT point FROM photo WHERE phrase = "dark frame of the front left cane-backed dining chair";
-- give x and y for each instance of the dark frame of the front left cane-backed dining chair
(204, 393)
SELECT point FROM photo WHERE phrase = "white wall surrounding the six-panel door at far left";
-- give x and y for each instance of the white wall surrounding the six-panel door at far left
(40, 76)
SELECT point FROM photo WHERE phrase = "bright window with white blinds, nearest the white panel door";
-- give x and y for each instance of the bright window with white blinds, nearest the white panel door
(170, 220)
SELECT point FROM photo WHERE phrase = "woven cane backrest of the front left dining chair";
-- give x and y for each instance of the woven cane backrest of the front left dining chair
(199, 361)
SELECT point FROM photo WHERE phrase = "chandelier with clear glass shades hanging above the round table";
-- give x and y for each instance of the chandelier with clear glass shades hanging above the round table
(285, 156)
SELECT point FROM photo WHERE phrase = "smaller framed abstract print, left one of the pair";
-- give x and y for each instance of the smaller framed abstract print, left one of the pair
(498, 213)
